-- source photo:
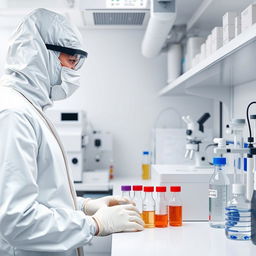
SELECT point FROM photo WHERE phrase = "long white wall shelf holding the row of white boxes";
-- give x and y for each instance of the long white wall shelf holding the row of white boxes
(233, 64)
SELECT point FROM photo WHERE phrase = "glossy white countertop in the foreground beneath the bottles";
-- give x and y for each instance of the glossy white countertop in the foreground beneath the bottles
(192, 239)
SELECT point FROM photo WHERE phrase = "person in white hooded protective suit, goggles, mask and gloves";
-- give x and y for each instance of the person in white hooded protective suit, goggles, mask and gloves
(40, 213)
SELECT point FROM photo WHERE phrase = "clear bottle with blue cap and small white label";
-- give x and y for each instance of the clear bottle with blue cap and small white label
(218, 194)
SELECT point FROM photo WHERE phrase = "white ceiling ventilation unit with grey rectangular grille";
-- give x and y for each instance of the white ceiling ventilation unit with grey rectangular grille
(131, 14)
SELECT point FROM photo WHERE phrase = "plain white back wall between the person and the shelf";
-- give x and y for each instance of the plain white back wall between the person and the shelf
(119, 93)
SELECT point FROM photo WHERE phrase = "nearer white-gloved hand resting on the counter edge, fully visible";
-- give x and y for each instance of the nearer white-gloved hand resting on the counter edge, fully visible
(117, 219)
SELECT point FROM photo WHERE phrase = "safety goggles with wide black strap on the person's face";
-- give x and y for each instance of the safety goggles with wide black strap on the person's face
(79, 55)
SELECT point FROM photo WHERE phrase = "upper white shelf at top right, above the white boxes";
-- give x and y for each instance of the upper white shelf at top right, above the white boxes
(210, 12)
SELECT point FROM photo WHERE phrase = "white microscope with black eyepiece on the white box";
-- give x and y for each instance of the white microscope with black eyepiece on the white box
(195, 136)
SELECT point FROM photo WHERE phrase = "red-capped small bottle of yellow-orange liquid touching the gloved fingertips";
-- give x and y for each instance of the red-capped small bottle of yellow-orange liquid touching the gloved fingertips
(148, 207)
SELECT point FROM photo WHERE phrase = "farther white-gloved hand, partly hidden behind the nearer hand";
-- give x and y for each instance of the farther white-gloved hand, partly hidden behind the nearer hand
(93, 205)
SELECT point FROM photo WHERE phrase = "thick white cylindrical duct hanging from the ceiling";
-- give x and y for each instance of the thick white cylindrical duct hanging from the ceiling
(162, 17)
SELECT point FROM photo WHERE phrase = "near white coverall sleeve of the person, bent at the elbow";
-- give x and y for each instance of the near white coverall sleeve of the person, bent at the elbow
(24, 222)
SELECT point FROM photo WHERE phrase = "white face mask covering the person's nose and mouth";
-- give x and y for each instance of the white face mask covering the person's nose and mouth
(70, 83)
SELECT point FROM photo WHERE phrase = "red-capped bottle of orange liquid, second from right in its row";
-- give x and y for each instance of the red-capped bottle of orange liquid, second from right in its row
(161, 213)
